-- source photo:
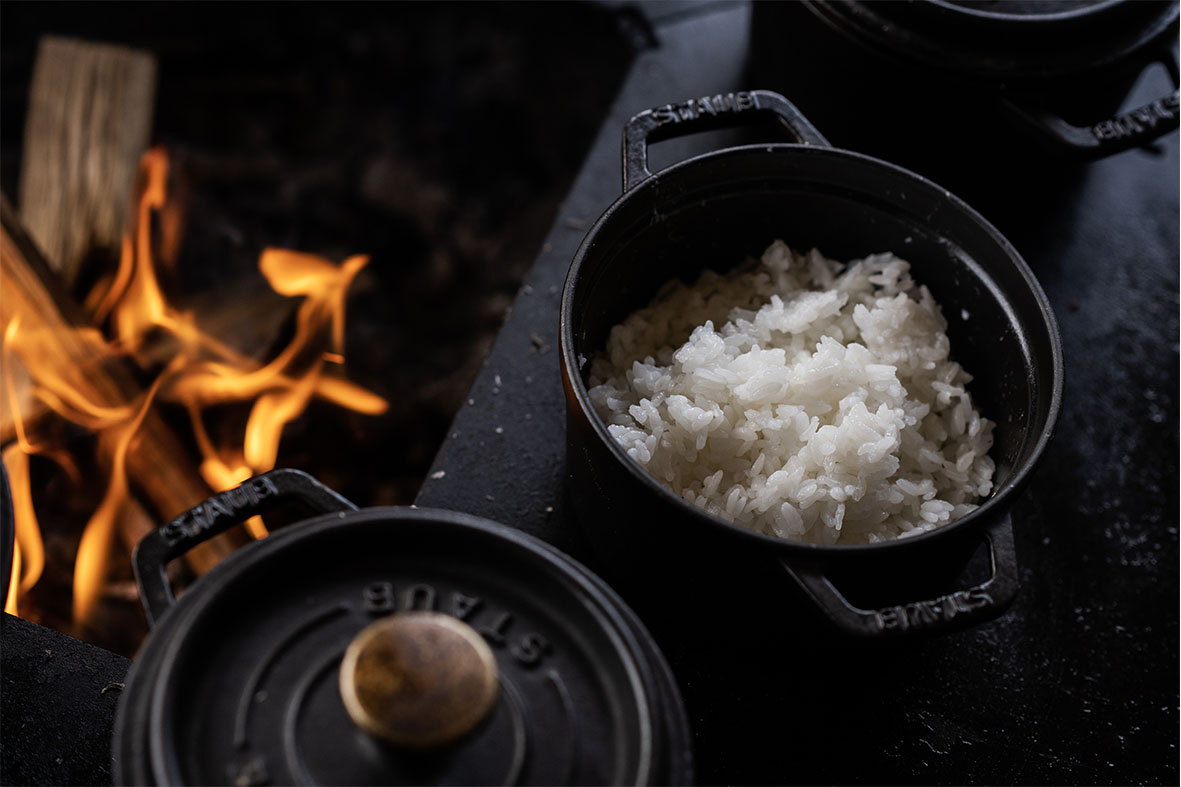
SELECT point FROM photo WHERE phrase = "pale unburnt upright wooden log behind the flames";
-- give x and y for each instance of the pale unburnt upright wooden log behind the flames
(89, 121)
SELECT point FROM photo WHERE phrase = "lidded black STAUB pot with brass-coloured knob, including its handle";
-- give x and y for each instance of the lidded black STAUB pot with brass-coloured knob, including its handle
(242, 681)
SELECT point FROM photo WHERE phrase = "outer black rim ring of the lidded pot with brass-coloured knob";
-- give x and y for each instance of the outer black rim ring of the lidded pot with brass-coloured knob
(643, 666)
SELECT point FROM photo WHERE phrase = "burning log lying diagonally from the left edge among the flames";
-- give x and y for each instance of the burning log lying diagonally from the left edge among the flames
(159, 466)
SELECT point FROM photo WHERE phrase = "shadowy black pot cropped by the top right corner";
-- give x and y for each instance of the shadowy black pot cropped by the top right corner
(1003, 102)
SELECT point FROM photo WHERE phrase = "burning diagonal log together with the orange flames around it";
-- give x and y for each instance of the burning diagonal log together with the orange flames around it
(81, 363)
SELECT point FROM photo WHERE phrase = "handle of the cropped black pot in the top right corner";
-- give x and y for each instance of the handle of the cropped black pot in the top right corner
(1112, 135)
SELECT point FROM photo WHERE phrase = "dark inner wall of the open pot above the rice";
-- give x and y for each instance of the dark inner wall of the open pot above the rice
(727, 209)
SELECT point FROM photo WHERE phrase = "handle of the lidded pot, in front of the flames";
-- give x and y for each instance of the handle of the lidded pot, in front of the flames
(217, 516)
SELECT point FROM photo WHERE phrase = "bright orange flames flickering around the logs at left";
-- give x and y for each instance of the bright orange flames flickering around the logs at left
(204, 373)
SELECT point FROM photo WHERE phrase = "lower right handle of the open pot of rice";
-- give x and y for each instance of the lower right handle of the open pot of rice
(947, 613)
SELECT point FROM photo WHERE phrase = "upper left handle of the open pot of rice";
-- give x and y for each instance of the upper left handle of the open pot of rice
(707, 114)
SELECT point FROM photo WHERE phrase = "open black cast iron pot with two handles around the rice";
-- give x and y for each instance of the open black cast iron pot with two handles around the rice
(721, 209)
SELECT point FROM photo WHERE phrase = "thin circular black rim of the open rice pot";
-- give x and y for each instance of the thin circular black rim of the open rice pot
(973, 522)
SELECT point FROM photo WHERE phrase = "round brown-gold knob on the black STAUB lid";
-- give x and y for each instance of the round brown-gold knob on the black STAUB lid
(419, 679)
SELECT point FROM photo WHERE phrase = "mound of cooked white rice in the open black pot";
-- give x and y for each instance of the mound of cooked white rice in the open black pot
(824, 408)
